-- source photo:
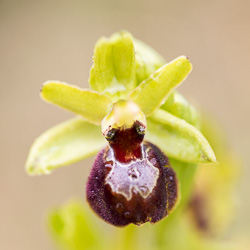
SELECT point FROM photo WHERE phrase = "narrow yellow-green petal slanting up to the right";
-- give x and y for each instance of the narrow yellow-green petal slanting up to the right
(153, 92)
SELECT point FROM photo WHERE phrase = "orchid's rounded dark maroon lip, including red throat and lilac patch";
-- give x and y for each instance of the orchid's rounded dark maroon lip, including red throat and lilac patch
(131, 181)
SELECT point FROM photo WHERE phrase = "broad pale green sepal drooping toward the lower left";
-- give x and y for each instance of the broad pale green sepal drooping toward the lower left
(64, 144)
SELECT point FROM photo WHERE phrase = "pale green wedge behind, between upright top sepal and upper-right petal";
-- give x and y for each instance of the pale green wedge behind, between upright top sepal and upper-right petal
(147, 60)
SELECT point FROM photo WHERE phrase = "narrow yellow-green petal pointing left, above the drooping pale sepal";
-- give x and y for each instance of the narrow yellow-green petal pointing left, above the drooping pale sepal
(92, 105)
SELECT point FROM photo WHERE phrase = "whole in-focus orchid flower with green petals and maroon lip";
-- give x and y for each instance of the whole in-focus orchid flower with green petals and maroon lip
(132, 95)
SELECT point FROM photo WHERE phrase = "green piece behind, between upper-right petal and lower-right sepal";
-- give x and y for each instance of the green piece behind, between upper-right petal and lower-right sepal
(177, 105)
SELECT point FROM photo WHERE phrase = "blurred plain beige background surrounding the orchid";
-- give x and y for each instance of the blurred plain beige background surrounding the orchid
(41, 40)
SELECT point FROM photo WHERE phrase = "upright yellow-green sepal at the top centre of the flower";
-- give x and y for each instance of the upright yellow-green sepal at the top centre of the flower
(113, 70)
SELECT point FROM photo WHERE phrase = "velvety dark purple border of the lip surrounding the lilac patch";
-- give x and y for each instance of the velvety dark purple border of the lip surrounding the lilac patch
(116, 209)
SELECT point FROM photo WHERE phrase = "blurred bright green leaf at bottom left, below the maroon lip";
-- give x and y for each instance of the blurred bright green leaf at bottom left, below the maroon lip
(73, 228)
